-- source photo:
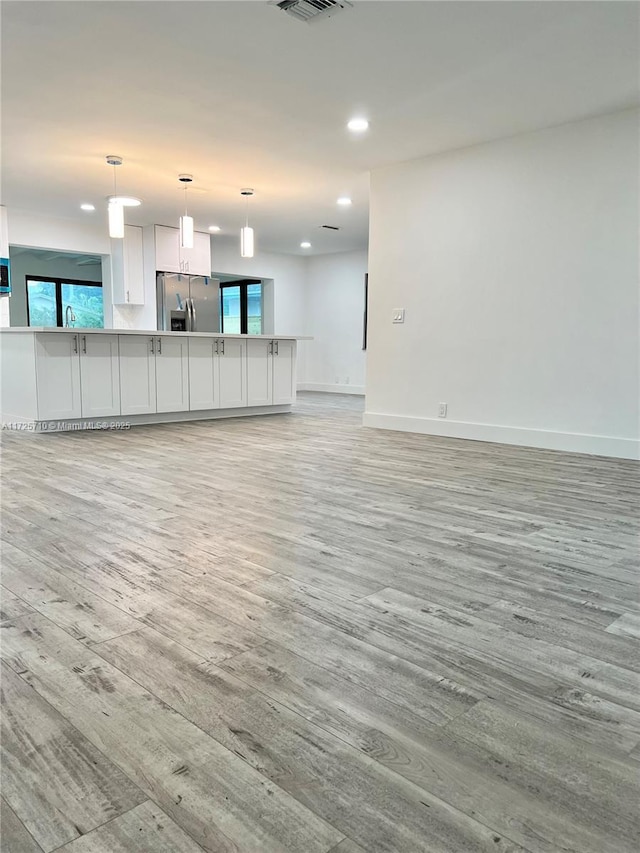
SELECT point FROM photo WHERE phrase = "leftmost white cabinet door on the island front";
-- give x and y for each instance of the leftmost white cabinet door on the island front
(58, 376)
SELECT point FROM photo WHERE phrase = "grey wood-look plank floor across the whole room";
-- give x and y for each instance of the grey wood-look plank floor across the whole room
(291, 633)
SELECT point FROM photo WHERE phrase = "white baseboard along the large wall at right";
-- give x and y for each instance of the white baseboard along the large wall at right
(598, 445)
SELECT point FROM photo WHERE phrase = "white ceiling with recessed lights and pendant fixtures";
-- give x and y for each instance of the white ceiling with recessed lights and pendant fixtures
(240, 94)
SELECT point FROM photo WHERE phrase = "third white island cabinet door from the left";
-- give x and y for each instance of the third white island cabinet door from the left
(137, 374)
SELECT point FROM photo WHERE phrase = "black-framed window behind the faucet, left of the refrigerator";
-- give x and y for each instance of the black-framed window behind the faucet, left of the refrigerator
(51, 300)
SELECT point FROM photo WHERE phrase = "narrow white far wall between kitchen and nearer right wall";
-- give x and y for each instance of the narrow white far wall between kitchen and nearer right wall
(335, 360)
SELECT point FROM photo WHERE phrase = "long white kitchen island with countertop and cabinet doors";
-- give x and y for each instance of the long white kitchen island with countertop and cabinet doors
(69, 378)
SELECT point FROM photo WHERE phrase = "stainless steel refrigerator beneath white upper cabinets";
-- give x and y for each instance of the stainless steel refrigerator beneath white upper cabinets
(187, 303)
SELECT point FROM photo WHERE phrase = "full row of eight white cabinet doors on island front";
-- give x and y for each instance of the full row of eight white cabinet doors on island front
(92, 375)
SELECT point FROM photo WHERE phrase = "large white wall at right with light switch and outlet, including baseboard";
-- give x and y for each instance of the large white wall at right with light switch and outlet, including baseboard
(516, 263)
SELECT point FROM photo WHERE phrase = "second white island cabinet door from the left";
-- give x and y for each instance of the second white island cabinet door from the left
(99, 375)
